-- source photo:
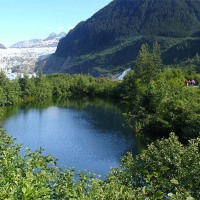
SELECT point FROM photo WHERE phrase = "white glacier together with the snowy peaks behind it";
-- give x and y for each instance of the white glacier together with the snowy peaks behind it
(23, 57)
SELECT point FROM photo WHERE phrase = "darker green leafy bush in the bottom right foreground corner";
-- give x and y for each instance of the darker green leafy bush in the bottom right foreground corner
(166, 167)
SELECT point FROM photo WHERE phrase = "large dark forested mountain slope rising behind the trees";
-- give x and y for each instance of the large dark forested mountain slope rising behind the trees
(109, 41)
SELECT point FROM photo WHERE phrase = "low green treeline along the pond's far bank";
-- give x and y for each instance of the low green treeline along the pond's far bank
(54, 86)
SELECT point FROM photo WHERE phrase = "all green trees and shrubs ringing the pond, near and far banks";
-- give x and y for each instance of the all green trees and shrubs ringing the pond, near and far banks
(159, 103)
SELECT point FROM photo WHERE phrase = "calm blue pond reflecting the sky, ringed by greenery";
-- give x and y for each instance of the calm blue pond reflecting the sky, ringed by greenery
(81, 134)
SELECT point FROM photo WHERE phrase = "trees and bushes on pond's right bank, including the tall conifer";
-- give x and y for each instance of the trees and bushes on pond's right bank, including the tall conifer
(160, 101)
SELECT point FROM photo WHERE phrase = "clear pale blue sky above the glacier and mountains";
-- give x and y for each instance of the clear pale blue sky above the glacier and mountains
(36, 19)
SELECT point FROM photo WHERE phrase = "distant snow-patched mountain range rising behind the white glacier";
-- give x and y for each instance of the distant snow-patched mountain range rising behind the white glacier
(51, 41)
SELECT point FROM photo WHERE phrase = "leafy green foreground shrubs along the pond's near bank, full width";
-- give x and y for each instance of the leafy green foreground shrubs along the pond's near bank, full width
(166, 169)
